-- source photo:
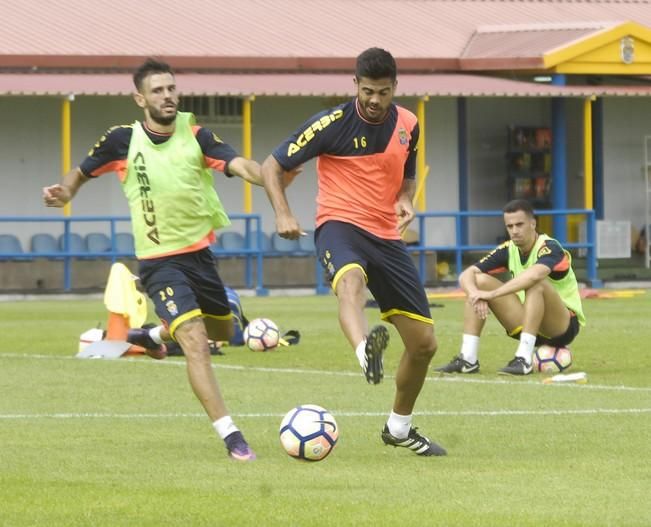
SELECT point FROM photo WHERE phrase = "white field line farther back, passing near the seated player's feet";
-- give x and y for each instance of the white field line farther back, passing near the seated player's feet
(301, 371)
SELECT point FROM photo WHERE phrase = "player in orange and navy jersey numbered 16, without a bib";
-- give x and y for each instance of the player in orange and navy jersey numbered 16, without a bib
(366, 151)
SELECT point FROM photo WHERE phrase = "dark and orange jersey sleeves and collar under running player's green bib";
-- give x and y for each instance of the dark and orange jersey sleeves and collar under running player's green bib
(109, 154)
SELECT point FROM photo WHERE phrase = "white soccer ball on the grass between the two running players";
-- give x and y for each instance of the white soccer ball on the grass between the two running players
(308, 432)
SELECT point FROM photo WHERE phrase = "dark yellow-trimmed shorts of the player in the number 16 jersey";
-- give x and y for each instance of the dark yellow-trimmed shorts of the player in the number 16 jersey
(391, 275)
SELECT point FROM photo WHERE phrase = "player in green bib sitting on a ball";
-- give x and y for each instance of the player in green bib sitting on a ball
(539, 305)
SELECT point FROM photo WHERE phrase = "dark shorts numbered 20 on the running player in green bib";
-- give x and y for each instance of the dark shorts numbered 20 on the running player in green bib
(185, 286)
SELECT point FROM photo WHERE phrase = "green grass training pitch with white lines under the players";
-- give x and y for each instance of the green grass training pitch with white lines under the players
(124, 442)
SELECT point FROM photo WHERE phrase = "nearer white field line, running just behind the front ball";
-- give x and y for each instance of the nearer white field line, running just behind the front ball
(433, 413)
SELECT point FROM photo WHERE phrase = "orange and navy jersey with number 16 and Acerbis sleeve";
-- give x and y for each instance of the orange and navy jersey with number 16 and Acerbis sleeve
(361, 165)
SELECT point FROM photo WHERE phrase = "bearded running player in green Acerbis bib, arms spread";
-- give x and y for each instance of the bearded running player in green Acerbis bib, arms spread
(165, 164)
